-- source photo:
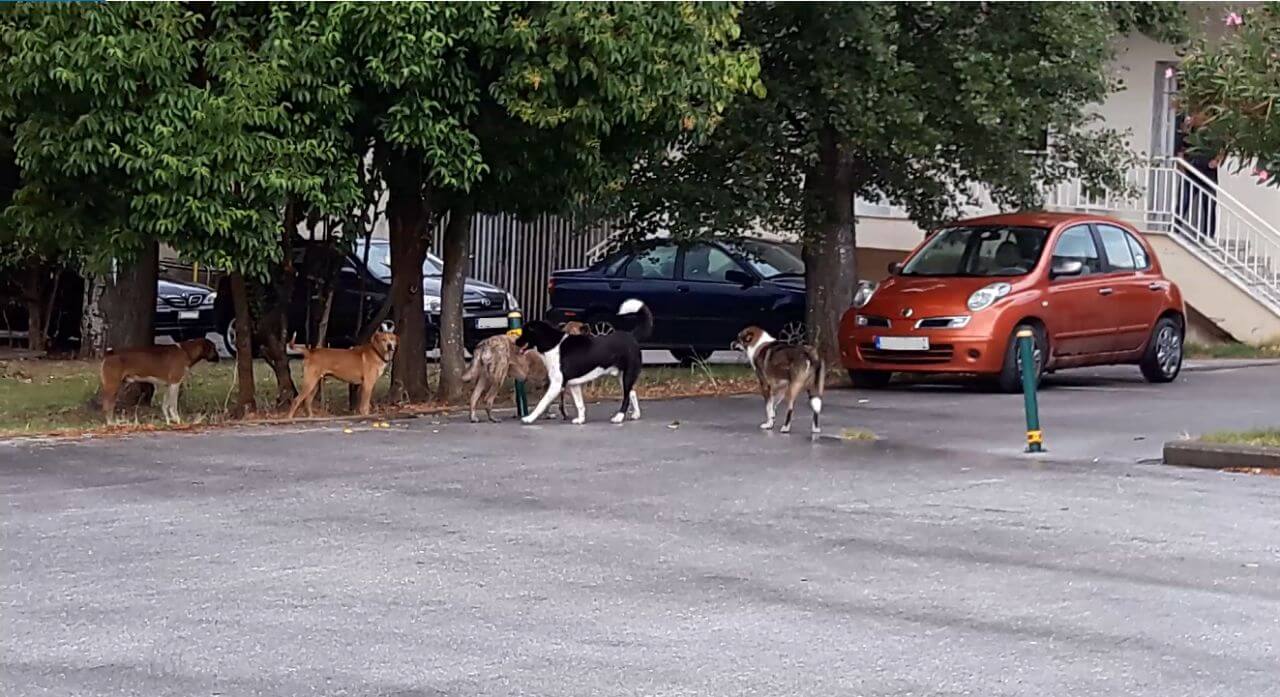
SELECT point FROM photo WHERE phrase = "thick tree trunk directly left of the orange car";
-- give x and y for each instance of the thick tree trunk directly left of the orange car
(831, 273)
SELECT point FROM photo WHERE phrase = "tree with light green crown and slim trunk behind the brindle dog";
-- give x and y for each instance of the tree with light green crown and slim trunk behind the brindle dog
(566, 97)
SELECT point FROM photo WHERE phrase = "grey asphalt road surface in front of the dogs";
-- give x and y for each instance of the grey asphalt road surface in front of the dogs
(655, 558)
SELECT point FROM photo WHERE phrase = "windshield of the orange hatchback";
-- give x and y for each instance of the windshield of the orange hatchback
(979, 251)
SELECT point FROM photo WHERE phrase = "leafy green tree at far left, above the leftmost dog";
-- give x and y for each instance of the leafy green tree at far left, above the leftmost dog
(138, 125)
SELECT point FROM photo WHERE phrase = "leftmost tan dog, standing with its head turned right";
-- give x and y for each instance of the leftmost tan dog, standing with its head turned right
(162, 366)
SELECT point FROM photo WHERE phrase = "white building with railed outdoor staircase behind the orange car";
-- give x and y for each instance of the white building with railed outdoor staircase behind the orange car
(1232, 279)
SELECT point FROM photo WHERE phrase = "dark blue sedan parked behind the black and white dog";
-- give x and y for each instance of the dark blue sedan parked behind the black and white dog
(701, 295)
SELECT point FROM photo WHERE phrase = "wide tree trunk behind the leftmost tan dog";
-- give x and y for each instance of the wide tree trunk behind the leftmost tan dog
(120, 314)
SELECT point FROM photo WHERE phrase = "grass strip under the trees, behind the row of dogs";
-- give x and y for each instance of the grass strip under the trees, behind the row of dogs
(53, 397)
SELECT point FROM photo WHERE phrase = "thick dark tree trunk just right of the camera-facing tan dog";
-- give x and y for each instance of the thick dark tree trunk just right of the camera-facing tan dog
(408, 214)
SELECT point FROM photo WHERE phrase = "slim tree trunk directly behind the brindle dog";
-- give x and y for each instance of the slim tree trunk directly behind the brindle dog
(458, 246)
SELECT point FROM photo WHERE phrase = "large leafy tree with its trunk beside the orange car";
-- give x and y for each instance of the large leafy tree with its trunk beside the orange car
(917, 103)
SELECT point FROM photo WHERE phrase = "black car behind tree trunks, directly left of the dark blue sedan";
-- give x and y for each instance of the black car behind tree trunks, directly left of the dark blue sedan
(484, 306)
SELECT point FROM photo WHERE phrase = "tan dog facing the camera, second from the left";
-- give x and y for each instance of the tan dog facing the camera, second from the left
(360, 365)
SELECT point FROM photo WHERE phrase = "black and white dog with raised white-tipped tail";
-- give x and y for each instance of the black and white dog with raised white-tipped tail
(575, 360)
